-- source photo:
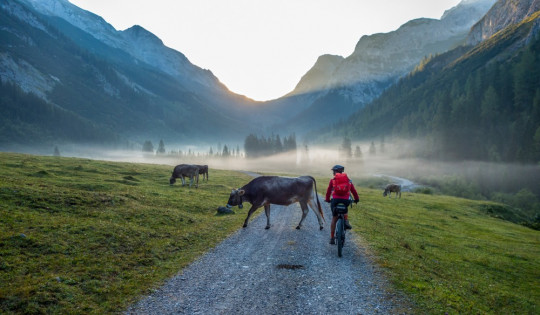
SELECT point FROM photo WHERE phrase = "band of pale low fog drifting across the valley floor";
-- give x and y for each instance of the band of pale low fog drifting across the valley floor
(364, 161)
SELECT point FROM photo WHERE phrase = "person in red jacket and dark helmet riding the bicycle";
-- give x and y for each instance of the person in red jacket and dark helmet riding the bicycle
(340, 188)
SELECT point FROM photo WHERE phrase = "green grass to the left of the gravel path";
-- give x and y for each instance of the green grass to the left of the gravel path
(84, 236)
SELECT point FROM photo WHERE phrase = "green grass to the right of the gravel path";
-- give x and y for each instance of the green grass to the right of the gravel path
(449, 254)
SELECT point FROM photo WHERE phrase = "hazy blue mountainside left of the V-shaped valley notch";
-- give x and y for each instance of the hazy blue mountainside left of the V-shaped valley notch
(120, 86)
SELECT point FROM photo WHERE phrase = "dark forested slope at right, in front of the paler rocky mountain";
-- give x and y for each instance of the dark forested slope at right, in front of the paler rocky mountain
(481, 103)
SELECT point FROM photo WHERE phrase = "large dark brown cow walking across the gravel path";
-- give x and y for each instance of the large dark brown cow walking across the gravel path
(283, 191)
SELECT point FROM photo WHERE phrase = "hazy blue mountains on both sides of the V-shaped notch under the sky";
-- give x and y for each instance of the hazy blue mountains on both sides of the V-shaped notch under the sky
(69, 76)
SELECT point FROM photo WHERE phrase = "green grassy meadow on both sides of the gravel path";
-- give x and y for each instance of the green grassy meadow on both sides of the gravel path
(79, 236)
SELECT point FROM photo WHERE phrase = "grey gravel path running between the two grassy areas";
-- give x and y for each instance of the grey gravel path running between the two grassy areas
(277, 271)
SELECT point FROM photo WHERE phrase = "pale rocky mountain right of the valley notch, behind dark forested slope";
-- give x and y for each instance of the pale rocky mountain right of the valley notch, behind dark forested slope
(336, 87)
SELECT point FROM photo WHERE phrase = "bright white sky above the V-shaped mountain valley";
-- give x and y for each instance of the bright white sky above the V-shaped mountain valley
(262, 48)
